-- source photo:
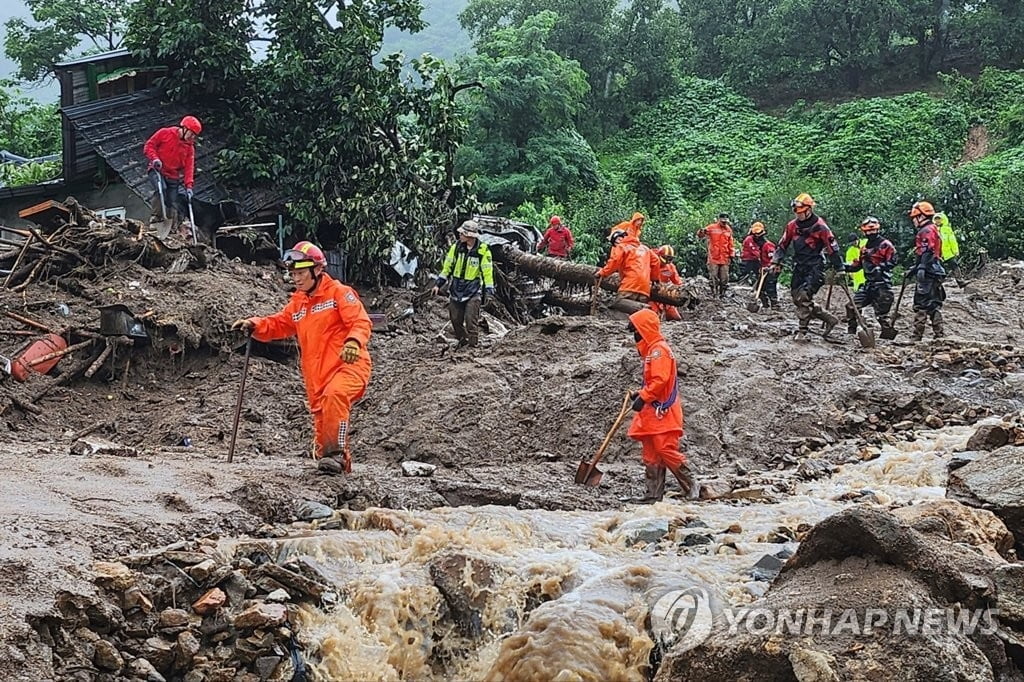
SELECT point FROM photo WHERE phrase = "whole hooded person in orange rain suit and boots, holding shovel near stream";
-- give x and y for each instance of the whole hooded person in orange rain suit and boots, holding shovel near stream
(658, 423)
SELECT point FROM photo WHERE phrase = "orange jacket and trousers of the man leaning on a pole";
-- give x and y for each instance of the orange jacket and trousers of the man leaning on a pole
(323, 322)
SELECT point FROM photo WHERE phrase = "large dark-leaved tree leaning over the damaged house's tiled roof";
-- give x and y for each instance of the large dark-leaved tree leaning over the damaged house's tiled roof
(362, 150)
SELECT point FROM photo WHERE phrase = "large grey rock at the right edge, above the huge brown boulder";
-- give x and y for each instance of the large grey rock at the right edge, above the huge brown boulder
(995, 483)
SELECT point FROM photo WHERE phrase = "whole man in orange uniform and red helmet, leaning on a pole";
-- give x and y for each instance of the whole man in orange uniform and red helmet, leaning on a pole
(333, 331)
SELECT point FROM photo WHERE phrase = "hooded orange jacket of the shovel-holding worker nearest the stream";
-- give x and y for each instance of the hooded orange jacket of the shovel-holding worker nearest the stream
(663, 411)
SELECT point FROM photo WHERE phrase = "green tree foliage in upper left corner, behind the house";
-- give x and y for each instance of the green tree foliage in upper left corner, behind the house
(59, 28)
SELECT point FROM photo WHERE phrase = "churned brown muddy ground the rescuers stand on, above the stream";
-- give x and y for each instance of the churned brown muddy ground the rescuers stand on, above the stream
(505, 425)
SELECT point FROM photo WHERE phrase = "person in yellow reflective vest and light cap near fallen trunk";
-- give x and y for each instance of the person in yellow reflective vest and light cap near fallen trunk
(470, 266)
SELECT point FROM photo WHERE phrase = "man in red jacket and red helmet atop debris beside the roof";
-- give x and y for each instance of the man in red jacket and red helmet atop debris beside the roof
(172, 153)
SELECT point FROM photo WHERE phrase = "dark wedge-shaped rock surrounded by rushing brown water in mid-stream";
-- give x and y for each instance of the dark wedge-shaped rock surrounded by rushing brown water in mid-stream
(465, 583)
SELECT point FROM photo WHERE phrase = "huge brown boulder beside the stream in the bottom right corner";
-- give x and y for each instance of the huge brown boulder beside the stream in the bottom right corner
(857, 572)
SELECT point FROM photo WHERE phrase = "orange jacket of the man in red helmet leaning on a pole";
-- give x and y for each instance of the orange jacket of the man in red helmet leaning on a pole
(323, 322)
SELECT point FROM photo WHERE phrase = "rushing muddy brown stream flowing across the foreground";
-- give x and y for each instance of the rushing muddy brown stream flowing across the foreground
(497, 593)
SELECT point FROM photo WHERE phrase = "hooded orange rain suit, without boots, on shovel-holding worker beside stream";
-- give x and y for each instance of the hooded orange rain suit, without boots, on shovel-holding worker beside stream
(659, 425)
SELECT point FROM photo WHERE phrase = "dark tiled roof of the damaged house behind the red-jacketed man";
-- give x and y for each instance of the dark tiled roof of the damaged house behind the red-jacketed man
(118, 127)
